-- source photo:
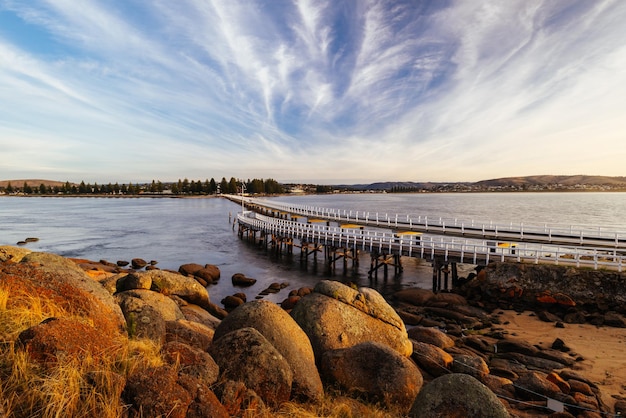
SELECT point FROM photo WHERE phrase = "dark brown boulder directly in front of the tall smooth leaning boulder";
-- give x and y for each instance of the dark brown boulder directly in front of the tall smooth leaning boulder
(246, 355)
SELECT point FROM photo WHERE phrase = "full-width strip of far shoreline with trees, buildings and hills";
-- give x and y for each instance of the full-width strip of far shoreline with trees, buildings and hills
(271, 186)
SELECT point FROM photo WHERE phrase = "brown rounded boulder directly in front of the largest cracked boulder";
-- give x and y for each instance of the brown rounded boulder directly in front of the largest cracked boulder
(375, 371)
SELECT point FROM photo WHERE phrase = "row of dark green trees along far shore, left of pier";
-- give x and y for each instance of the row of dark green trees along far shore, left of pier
(182, 187)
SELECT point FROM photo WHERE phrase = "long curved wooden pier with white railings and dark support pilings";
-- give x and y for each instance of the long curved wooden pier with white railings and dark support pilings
(341, 241)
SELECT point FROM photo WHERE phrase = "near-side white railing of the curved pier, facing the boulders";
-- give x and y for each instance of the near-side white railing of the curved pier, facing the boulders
(428, 246)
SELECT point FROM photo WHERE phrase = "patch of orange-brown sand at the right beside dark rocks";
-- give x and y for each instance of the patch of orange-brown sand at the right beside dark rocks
(601, 347)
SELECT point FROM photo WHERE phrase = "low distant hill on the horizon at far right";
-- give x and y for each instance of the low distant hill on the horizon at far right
(563, 180)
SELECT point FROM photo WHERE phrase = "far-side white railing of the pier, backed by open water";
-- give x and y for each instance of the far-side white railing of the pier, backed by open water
(579, 235)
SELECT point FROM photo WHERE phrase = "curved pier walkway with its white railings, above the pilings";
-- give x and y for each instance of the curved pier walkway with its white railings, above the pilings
(442, 241)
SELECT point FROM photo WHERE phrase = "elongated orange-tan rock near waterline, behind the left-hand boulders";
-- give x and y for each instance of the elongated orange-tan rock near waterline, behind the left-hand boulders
(176, 284)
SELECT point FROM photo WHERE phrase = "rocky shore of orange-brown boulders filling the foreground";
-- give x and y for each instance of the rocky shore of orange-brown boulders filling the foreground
(418, 354)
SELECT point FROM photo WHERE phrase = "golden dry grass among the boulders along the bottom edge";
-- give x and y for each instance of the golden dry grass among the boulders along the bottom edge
(85, 387)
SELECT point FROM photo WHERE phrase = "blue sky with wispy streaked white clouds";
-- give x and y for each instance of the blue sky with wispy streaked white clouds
(311, 91)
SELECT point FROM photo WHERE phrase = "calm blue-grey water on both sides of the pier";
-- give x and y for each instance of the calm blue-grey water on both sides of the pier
(178, 231)
